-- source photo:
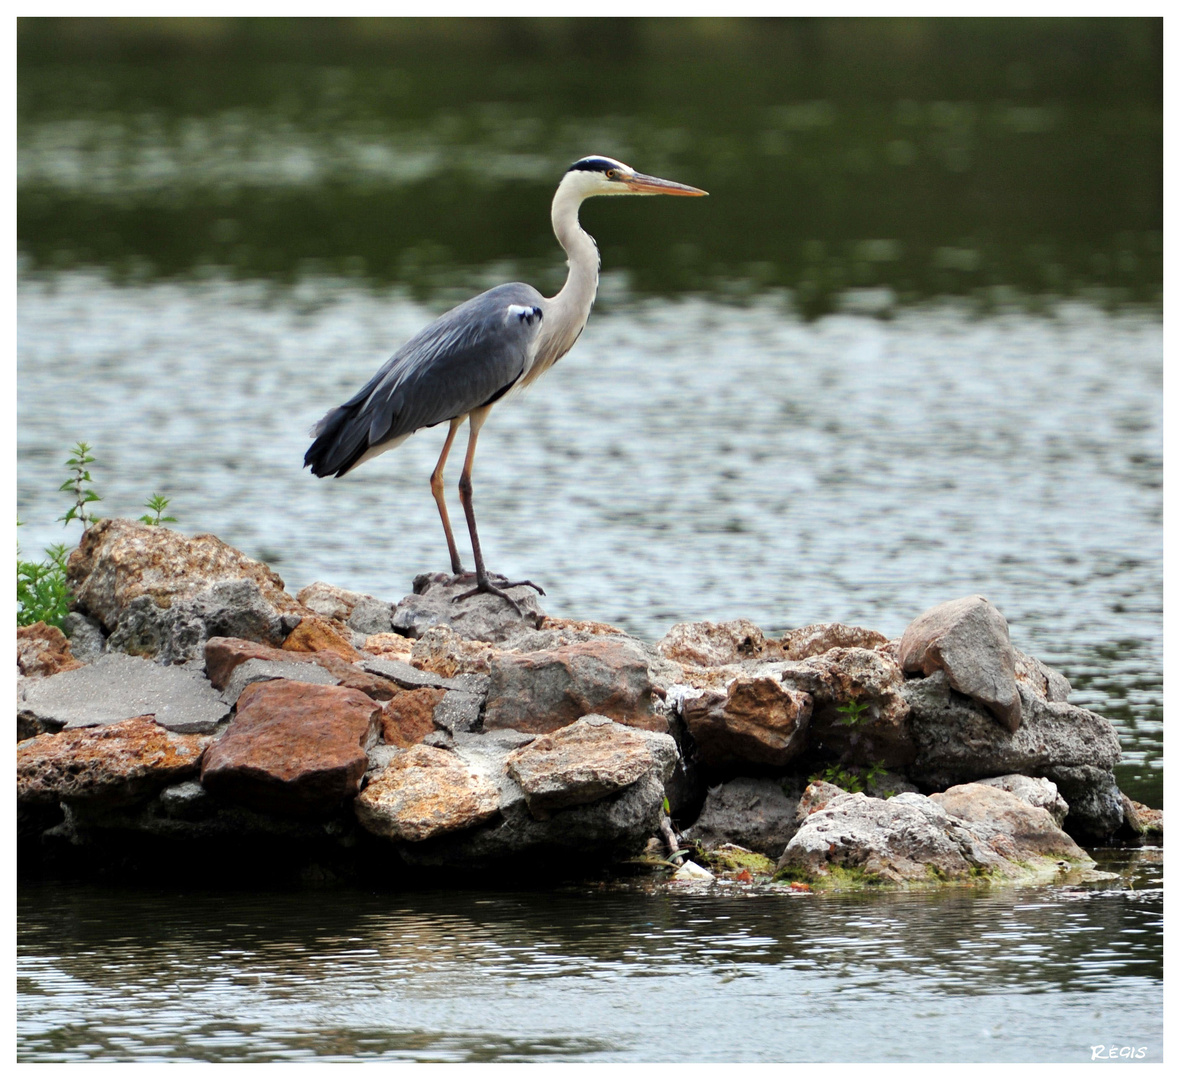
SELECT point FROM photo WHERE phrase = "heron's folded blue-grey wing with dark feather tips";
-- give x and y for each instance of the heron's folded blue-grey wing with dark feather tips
(467, 358)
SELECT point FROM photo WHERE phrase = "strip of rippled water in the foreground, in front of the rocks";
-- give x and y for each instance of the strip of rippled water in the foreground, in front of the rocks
(1007, 976)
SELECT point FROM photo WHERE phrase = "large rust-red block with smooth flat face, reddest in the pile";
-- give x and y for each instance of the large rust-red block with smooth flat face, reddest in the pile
(294, 749)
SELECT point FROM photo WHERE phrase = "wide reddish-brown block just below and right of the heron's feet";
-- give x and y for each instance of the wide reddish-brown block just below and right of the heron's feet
(541, 692)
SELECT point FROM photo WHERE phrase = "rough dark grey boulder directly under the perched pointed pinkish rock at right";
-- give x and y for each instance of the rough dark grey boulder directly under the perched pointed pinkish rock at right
(958, 743)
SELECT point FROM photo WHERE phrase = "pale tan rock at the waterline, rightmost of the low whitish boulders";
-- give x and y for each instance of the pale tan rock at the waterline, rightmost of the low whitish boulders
(1012, 827)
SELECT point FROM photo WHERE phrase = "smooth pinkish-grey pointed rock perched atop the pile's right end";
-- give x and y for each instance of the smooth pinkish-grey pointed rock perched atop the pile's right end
(967, 639)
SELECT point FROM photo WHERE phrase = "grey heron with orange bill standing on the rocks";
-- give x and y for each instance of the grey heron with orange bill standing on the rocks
(461, 365)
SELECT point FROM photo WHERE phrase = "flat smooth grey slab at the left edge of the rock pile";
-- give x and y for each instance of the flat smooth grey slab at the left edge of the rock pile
(117, 688)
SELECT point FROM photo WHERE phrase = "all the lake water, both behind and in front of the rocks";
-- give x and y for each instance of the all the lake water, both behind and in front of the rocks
(910, 349)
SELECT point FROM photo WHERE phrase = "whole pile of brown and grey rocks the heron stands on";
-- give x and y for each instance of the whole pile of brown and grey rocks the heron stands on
(198, 719)
